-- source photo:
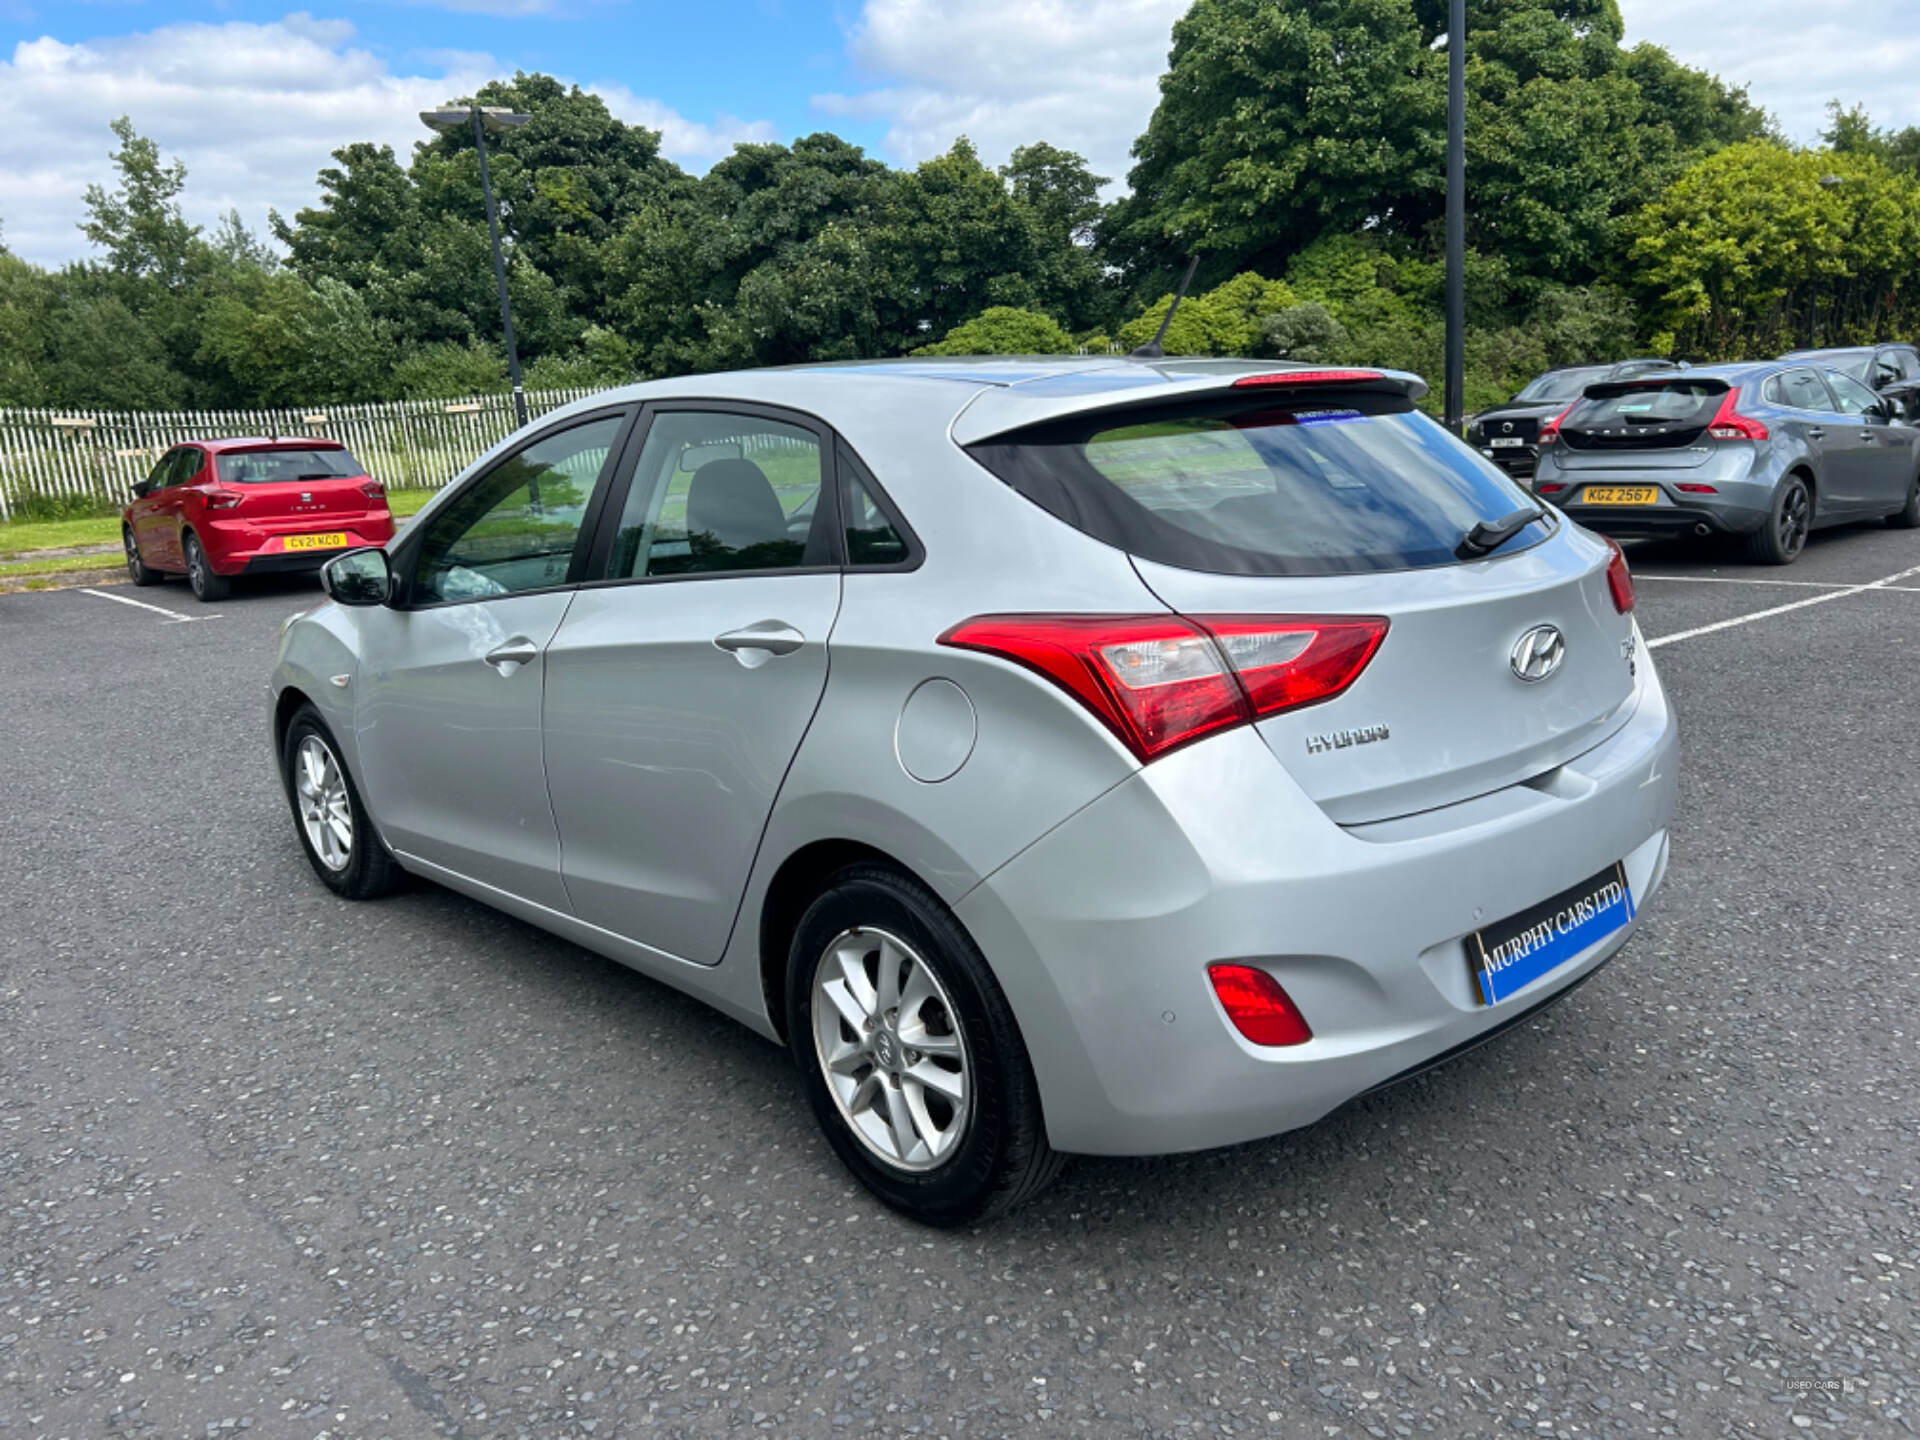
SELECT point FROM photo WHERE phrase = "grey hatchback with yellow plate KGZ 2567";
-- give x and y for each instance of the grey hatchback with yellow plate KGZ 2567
(1762, 452)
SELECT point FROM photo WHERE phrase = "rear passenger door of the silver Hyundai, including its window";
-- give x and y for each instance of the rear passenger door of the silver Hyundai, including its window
(690, 667)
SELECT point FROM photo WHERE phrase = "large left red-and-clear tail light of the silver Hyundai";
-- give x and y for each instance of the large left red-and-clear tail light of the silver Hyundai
(1164, 681)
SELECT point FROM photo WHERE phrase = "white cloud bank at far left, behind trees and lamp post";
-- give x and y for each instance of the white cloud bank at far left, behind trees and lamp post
(254, 110)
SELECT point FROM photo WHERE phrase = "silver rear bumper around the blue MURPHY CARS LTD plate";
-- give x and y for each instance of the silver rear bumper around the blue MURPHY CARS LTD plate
(1103, 930)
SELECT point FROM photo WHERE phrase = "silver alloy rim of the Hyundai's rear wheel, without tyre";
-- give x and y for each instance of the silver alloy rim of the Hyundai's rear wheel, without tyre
(892, 1049)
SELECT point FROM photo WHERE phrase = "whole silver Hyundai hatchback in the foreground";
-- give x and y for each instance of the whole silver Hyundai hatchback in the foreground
(1074, 756)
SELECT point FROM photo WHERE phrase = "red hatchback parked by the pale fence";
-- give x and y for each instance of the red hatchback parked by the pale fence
(214, 510)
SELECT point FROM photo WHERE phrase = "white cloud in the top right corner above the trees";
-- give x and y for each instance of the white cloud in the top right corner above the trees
(1796, 57)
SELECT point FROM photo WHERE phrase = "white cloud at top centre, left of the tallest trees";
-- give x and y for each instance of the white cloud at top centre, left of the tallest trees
(1080, 74)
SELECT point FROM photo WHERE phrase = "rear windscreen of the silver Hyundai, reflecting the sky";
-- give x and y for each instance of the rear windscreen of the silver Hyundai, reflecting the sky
(1310, 485)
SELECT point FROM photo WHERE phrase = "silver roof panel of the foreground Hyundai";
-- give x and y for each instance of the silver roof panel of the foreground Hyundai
(969, 396)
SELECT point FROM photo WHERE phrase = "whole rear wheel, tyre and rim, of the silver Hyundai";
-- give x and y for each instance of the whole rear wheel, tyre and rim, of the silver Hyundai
(867, 1082)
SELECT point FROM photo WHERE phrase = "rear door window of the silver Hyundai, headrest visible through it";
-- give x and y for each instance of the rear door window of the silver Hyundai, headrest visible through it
(719, 492)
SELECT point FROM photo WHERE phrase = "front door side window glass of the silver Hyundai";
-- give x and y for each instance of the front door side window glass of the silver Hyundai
(516, 529)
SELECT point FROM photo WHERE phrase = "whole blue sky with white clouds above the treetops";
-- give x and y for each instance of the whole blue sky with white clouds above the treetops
(254, 95)
